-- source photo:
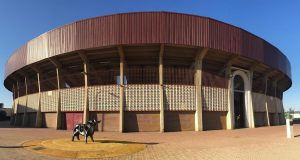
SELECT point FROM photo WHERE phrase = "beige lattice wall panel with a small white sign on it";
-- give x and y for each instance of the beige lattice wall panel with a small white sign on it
(49, 101)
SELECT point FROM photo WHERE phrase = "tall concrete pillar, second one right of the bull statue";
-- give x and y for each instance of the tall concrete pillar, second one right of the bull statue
(161, 89)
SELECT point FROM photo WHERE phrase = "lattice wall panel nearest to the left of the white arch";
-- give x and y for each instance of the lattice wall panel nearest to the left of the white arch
(214, 99)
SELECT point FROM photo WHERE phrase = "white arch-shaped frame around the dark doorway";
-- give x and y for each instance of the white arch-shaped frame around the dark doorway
(249, 116)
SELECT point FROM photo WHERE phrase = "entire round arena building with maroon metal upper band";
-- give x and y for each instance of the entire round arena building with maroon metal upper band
(148, 71)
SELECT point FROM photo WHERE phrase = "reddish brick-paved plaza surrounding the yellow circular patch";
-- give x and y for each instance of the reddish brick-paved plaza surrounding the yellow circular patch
(259, 143)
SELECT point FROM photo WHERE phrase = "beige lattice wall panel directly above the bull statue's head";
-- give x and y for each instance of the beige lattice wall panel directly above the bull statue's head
(104, 98)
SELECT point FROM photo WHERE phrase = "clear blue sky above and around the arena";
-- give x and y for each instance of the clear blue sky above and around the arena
(276, 21)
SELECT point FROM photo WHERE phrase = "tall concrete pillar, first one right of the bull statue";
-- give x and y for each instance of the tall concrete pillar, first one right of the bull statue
(121, 120)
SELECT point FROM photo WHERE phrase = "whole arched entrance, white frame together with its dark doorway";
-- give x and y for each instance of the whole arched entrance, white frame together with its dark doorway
(240, 109)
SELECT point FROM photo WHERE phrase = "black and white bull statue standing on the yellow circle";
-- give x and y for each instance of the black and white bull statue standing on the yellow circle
(86, 130)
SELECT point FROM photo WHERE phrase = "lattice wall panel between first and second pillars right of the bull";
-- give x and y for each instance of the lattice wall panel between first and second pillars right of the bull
(142, 98)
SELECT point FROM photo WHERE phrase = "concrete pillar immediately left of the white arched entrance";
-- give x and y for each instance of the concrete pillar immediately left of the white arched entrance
(229, 118)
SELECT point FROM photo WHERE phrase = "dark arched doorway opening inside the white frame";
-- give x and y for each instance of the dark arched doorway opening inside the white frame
(239, 102)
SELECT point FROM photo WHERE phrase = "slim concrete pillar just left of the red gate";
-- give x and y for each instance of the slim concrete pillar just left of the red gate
(58, 110)
